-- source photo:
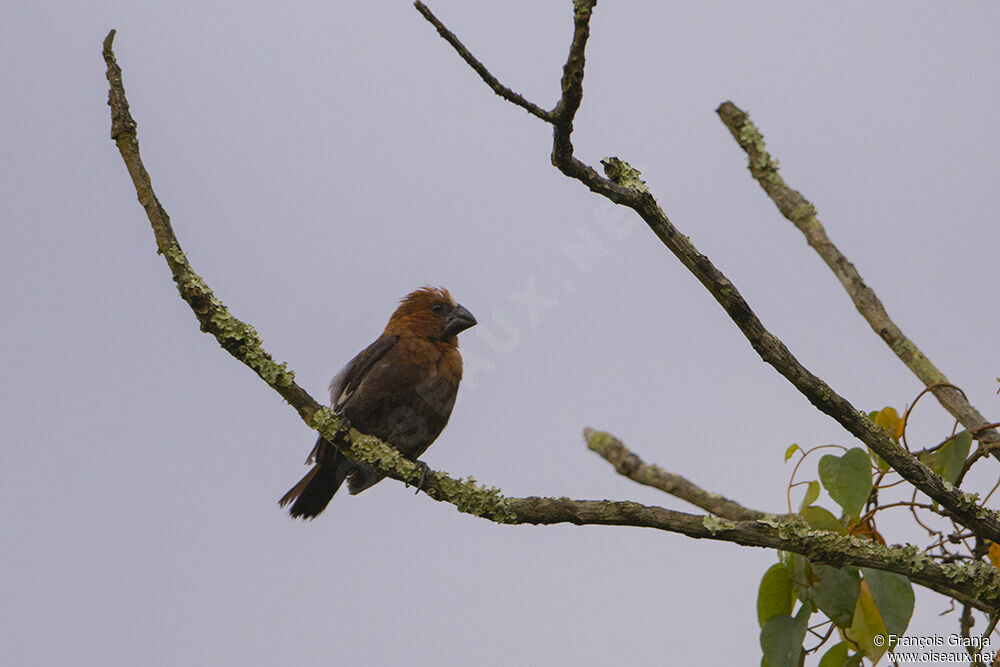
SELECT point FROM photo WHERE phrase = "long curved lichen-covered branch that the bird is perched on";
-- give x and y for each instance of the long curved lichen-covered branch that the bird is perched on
(971, 584)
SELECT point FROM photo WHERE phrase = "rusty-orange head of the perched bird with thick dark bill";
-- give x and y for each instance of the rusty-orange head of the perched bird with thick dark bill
(432, 313)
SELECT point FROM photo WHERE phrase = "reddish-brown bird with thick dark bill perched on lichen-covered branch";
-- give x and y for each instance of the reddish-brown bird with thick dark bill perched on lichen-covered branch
(400, 389)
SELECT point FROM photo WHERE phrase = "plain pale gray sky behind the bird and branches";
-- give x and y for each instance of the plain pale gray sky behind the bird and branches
(320, 160)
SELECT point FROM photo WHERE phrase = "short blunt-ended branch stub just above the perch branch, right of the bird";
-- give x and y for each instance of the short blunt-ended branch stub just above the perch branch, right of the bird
(630, 465)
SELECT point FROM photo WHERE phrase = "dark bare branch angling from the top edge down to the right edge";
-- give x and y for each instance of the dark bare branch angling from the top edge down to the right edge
(623, 186)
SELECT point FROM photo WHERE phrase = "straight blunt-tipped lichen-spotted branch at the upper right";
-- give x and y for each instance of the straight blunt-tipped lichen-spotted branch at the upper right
(802, 214)
